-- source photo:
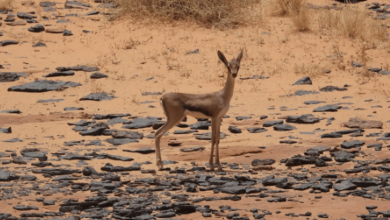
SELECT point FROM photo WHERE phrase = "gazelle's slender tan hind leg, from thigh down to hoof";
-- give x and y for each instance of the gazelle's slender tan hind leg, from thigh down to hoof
(173, 118)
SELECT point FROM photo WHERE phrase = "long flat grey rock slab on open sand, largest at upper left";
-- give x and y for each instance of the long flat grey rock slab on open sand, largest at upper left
(43, 86)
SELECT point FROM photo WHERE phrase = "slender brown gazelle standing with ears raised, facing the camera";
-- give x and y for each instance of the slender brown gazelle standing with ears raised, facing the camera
(211, 105)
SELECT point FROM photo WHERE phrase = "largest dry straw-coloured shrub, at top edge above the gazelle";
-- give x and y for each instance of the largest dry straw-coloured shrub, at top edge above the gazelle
(210, 13)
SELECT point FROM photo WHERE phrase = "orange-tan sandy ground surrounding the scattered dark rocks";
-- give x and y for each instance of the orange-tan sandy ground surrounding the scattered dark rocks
(271, 49)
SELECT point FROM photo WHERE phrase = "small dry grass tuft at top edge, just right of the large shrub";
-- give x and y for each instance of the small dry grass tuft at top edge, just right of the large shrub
(286, 7)
